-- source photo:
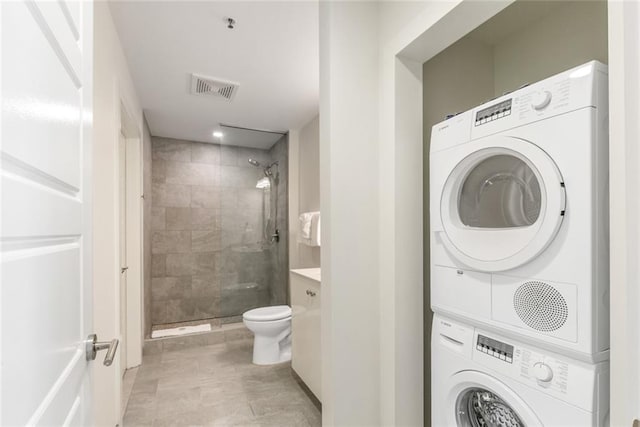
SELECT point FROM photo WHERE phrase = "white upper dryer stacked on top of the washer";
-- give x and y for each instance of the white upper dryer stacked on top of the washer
(519, 214)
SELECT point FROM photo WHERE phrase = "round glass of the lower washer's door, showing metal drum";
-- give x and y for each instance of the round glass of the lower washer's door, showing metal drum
(478, 407)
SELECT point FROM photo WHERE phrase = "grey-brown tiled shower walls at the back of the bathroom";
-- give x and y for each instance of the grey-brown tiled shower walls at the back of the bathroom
(212, 252)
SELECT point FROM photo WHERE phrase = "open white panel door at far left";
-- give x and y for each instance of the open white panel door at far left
(45, 292)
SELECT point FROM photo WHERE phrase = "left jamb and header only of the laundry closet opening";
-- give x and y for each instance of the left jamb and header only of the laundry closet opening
(405, 305)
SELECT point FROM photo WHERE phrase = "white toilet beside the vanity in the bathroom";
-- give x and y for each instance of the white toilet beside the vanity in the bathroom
(271, 327)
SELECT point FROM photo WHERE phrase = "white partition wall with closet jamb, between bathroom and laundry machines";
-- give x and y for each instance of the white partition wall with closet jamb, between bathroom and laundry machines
(371, 57)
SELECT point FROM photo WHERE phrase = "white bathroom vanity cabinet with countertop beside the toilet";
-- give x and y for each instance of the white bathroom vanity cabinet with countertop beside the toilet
(305, 327)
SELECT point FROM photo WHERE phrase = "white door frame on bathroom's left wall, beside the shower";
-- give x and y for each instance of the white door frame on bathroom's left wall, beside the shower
(134, 226)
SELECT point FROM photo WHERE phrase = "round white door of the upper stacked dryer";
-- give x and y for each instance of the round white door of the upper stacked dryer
(502, 204)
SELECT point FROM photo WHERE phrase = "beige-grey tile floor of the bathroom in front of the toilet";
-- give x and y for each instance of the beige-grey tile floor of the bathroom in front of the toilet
(217, 385)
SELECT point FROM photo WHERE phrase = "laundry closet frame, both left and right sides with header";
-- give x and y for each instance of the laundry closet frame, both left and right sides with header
(438, 26)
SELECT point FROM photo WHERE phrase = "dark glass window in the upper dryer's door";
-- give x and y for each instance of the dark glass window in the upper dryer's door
(500, 192)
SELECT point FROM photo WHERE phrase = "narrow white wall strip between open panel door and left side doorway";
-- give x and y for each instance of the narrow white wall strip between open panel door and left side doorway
(112, 85)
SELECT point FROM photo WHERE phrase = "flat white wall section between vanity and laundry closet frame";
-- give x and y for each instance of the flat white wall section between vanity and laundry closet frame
(349, 200)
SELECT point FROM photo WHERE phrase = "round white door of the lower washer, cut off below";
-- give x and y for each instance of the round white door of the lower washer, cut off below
(476, 399)
